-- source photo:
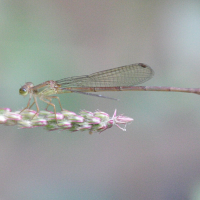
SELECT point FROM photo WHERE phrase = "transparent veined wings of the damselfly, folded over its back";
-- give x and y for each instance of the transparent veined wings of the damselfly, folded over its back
(127, 75)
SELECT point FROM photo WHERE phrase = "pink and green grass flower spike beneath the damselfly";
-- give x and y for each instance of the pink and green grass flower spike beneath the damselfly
(65, 120)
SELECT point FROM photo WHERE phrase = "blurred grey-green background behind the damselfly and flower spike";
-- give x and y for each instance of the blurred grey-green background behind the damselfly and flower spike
(158, 156)
